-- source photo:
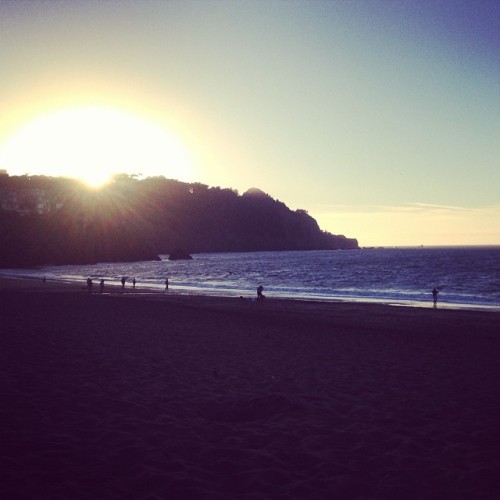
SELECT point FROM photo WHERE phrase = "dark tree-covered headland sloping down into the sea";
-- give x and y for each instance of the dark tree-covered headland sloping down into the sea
(132, 220)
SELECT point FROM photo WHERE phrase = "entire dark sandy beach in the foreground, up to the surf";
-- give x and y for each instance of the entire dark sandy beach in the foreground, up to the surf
(128, 397)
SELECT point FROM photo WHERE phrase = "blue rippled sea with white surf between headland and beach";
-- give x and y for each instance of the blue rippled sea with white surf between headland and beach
(466, 277)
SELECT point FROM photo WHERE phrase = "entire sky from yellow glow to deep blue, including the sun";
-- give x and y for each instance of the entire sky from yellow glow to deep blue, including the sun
(380, 118)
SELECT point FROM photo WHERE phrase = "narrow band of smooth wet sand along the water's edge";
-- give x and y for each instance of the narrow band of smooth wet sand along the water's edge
(354, 315)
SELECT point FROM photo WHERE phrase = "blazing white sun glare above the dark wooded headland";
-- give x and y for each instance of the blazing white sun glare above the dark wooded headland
(93, 143)
